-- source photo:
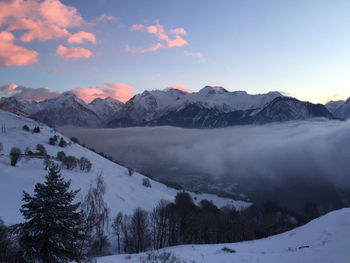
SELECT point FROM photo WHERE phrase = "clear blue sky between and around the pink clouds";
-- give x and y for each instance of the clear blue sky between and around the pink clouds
(301, 48)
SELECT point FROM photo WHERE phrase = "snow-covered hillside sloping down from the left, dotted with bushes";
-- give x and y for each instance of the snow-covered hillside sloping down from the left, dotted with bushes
(124, 193)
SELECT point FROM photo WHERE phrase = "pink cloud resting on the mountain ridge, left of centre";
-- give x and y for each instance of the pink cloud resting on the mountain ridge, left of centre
(118, 91)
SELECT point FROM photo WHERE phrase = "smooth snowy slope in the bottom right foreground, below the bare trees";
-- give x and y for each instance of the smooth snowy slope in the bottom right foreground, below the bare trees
(323, 240)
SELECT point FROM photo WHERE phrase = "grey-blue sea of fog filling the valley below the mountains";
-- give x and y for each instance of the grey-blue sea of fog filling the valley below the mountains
(294, 163)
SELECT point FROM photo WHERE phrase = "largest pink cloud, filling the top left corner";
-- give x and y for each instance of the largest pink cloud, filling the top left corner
(44, 20)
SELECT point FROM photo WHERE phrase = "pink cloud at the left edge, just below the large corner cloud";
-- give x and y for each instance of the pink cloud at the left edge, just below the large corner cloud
(14, 55)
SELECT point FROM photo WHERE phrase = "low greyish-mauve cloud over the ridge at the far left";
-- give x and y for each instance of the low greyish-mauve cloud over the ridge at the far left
(26, 93)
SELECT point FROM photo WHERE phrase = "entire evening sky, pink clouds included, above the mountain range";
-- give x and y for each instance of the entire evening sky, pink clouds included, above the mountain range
(115, 48)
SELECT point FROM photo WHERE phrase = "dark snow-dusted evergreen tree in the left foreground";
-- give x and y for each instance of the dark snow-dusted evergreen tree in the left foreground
(51, 231)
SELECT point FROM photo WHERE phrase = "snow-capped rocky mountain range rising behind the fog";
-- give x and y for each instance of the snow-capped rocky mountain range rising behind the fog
(211, 107)
